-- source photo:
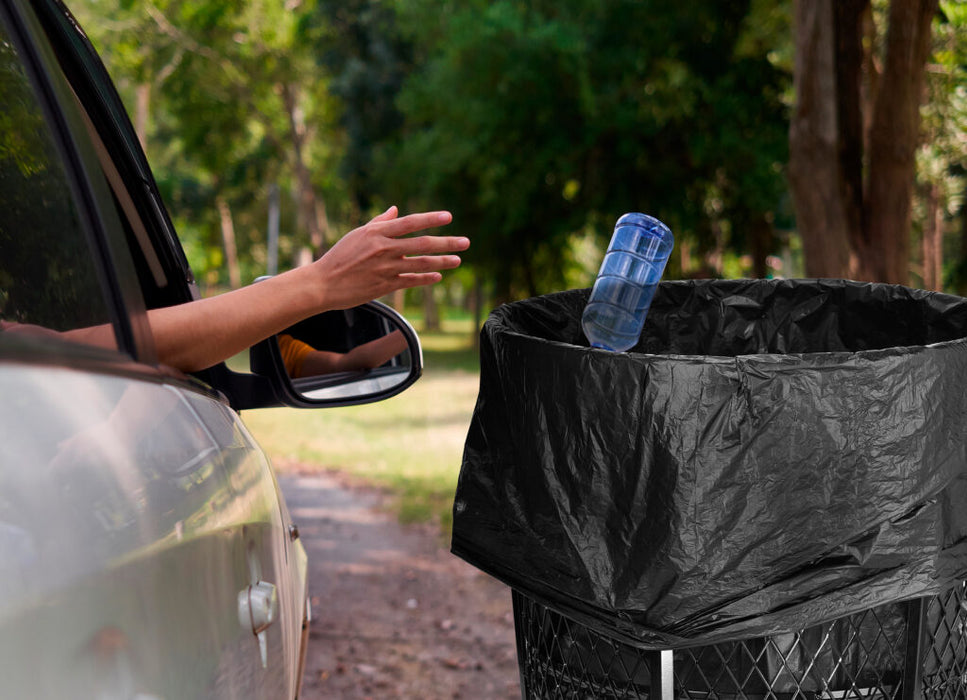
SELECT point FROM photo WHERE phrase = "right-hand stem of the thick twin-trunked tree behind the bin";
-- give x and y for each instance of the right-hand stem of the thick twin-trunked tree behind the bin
(894, 137)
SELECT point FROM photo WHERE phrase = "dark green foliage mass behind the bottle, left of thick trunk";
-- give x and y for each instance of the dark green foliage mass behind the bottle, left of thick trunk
(536, 121)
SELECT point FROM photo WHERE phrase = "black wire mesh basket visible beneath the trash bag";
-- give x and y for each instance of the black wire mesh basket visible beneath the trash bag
(893, 652)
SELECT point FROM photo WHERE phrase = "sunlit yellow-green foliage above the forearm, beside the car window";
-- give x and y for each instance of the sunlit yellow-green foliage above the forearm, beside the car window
(230, 81)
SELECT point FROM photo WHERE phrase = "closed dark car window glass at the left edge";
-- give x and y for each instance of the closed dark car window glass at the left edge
(48, 276)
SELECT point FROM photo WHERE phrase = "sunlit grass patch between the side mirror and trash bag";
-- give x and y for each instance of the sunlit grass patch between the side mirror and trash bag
(411, 444)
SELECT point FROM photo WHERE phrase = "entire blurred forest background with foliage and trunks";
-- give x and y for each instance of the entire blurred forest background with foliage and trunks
(776, 138)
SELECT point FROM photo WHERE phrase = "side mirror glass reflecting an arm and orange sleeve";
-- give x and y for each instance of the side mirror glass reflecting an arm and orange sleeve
(349, 354)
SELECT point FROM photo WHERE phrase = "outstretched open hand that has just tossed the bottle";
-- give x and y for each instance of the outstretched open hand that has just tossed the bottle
(375, 259)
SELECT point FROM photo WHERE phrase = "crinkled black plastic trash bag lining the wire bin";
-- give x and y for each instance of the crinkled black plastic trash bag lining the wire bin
(771, 455)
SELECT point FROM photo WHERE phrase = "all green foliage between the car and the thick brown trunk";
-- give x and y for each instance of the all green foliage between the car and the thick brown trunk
(537, 123)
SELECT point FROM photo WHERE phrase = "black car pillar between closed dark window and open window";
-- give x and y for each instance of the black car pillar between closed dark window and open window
(90, 192)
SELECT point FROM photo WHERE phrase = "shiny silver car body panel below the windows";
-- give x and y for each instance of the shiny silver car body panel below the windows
(131, 517)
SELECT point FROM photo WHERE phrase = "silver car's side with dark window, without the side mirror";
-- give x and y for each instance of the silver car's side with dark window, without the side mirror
(143, 544)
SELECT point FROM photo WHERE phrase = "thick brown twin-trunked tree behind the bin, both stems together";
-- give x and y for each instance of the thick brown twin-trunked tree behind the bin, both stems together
(852, 227)
